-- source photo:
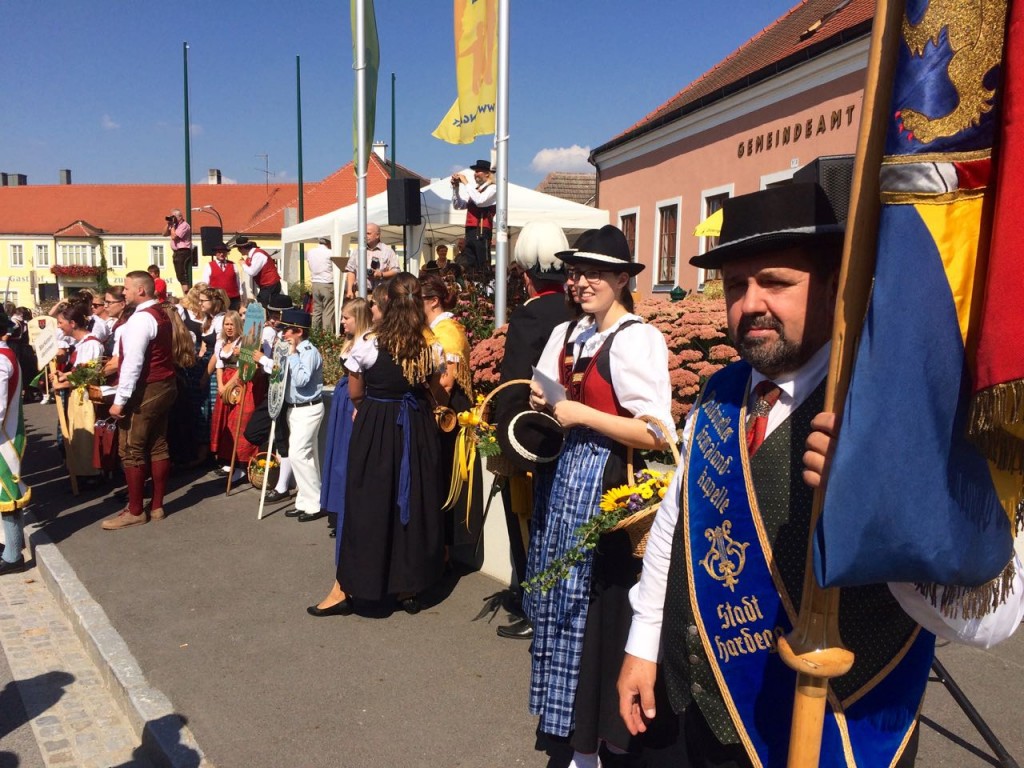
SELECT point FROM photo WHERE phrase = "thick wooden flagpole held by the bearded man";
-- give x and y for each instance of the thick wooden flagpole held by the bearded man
(815, 649)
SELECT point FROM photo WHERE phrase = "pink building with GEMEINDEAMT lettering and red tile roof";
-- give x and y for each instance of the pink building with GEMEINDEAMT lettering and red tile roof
(789, 96)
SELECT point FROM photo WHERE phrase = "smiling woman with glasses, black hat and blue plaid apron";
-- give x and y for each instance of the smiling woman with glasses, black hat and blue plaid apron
(615, 368)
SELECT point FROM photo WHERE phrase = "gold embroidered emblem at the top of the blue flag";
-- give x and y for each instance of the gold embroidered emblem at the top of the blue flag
(975, 32)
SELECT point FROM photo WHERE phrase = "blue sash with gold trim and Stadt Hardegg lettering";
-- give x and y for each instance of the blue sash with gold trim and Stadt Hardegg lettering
(742, 607)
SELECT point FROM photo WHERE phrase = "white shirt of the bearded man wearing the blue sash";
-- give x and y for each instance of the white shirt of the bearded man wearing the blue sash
(648, 598)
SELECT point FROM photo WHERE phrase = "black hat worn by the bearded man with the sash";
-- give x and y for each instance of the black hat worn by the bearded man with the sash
(776, 220)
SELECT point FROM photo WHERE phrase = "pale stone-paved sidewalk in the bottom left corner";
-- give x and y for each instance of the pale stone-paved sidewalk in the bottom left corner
(54, 689)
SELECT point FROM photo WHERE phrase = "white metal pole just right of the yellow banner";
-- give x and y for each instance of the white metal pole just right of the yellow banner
(501, 140)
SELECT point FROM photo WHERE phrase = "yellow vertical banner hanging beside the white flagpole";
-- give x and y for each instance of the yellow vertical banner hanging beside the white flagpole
(473, 114)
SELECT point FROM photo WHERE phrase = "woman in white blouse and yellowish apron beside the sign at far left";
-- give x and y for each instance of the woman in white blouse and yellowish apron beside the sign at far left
(73, 322)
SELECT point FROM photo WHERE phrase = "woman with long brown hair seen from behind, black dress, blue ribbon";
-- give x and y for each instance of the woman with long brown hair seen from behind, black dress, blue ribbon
(392, 540)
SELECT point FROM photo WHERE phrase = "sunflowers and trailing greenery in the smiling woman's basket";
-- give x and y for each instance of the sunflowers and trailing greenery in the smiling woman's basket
(617, 506)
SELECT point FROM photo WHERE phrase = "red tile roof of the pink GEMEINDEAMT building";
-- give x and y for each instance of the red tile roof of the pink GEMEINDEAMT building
(806, 31)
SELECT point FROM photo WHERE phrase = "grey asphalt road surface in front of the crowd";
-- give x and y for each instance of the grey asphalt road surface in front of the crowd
(211, 605)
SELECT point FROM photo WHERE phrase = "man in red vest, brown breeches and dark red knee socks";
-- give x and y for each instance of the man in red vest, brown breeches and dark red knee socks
(147, 391)
